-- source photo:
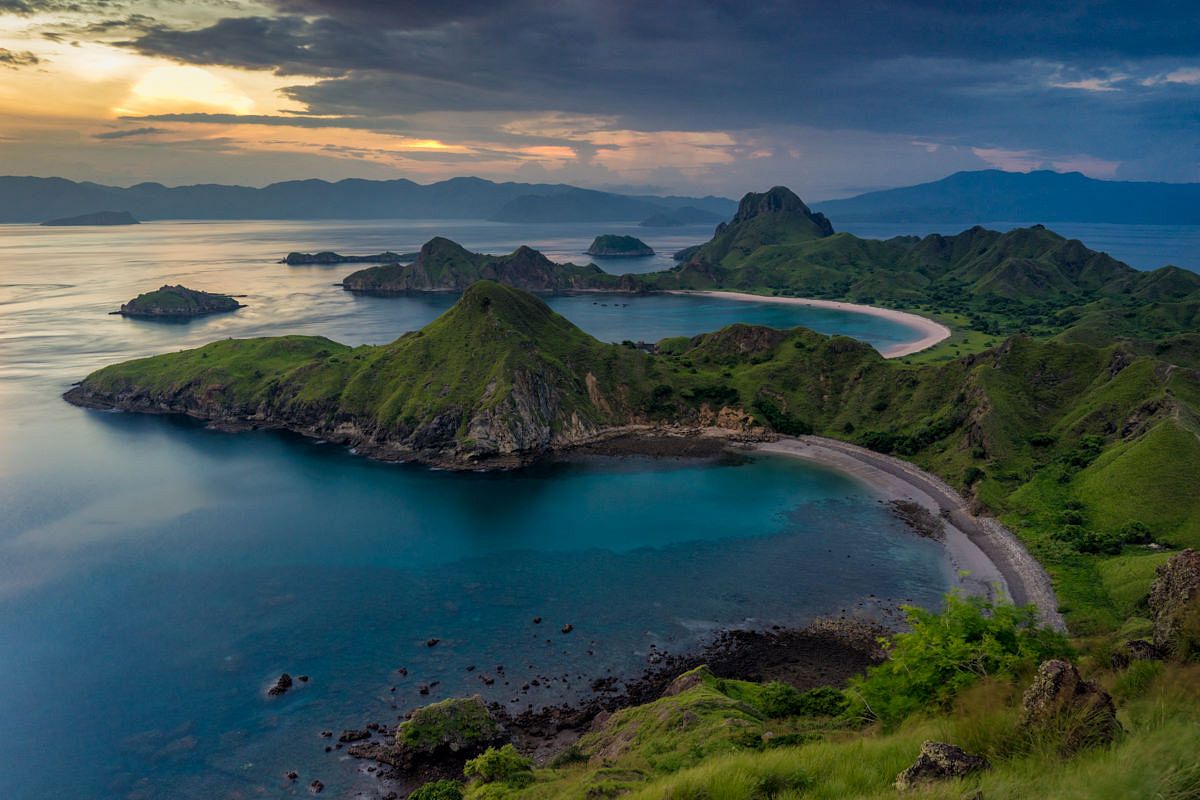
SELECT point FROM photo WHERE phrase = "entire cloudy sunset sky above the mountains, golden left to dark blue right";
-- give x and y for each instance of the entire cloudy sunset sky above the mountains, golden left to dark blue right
(697, 98)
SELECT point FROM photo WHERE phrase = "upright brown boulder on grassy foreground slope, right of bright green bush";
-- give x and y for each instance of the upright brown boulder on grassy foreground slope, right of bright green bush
(1061, 702)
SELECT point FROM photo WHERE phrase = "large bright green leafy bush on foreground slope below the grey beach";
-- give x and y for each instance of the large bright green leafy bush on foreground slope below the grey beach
(943, 654)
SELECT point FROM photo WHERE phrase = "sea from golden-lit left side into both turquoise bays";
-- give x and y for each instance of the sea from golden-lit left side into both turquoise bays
(155, 576)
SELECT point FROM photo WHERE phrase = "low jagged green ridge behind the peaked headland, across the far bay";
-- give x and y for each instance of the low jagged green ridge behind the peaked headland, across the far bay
(443, 266)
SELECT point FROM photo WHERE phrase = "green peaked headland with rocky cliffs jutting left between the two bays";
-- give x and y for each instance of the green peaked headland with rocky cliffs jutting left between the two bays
(496, 380)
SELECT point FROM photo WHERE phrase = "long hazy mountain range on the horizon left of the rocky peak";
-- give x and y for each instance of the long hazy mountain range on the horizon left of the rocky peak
(38, 200)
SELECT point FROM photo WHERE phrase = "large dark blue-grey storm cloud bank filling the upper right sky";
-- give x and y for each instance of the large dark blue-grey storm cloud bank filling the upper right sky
(1069, 76)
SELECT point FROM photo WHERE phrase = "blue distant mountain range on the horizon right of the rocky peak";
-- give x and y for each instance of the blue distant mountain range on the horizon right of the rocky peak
(995, 196)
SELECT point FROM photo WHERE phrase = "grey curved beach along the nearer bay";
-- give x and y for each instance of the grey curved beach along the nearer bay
(988, 558)
